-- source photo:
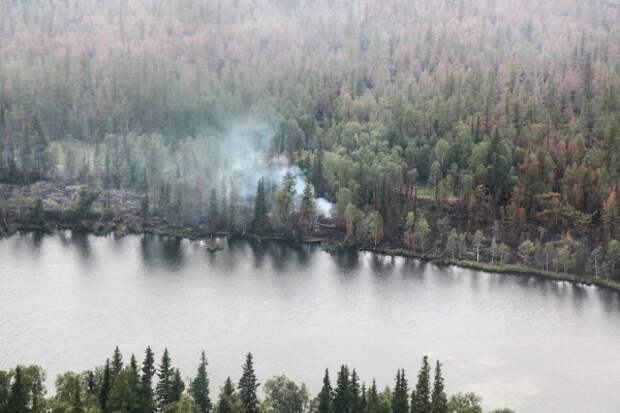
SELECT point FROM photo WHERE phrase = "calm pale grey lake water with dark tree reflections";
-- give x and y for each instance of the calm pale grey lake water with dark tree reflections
(67, 300)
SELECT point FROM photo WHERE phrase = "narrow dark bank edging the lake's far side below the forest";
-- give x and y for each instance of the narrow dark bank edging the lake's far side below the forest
(194, 234)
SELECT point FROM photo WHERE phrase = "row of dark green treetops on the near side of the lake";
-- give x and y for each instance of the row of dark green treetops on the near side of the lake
(120, 387)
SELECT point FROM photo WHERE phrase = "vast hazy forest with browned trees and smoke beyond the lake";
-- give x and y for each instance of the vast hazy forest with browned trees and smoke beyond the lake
(486, 131)
